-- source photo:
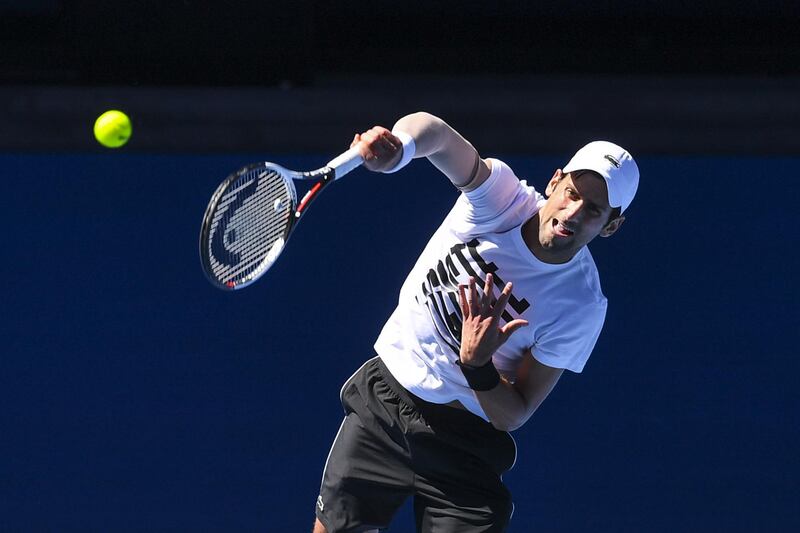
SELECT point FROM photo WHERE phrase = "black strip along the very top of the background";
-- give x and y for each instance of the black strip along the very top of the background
(259, 42)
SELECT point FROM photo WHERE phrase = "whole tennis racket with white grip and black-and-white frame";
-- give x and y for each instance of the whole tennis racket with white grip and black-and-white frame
(252, 214)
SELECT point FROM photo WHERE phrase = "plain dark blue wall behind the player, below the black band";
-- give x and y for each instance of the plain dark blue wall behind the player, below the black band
(135, 397)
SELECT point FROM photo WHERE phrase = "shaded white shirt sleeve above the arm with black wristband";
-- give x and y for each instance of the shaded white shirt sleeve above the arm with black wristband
(568, 344)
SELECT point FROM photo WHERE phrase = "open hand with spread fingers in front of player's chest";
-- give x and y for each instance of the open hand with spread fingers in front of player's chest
(481, 334)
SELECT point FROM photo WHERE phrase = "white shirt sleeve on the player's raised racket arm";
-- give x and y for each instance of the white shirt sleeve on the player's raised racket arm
(498, 204)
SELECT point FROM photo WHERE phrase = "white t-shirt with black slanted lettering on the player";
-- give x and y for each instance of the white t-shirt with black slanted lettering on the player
(482, 234)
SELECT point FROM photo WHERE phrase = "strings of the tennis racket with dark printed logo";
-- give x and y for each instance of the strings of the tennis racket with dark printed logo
(249, 227)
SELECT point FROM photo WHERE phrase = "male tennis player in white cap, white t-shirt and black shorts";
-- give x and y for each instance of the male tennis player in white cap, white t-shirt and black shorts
(467, 357)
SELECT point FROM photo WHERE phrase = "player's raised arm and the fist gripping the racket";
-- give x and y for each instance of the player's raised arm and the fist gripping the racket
(451, 153)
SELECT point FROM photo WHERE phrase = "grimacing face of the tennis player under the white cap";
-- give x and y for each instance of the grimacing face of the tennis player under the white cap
(576, 212)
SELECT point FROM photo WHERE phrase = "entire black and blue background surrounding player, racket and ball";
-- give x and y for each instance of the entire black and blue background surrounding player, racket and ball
(135, 397)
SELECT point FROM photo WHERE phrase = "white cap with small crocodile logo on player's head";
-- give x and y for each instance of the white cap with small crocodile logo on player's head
(616, 166)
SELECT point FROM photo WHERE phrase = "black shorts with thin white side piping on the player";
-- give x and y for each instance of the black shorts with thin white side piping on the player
(392, 445)
